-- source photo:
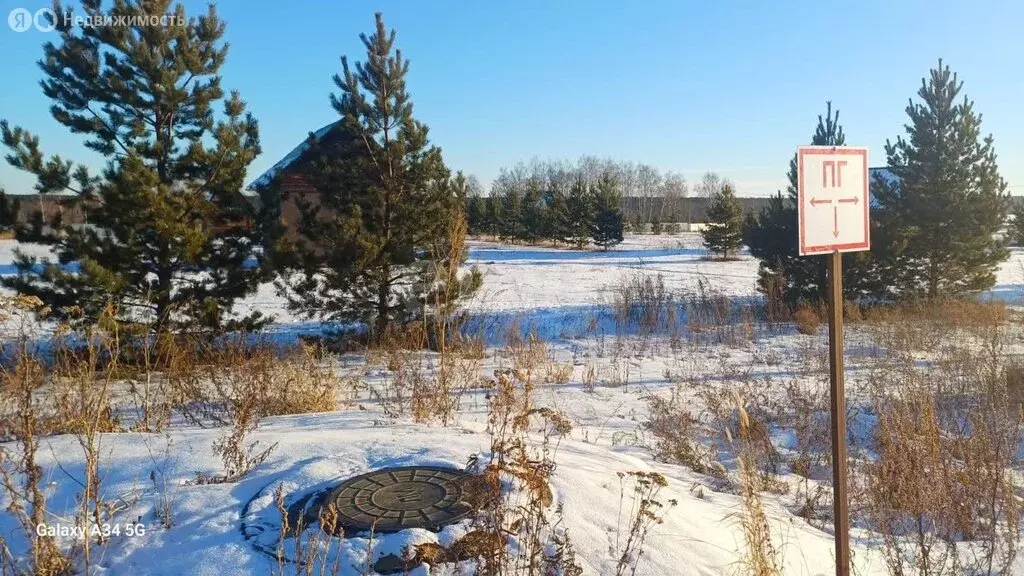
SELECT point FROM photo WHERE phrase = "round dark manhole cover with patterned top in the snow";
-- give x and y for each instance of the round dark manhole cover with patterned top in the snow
(394, 500)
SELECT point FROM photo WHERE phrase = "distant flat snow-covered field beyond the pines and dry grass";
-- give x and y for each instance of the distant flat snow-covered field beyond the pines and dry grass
(539, 284)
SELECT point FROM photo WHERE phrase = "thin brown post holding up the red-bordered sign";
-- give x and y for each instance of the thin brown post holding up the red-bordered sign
(838, 415)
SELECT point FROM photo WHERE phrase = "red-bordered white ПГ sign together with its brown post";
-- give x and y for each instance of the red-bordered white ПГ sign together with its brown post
(833, 211)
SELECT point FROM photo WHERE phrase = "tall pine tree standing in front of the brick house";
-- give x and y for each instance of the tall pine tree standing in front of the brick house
(387, 202)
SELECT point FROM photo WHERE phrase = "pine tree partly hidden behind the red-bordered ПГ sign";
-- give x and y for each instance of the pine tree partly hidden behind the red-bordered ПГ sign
(773, 238)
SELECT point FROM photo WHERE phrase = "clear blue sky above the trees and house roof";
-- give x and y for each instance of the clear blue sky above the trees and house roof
(688, 87)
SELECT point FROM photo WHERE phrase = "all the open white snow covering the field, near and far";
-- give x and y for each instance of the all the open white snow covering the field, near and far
(554, 292)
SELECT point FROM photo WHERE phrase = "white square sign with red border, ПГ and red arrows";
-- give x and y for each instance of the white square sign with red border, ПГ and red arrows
(834, 199)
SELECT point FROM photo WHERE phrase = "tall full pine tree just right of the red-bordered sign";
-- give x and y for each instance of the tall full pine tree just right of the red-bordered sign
(948, 202)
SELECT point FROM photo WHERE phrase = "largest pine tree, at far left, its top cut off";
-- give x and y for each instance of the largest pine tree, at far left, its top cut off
(170, 237)
